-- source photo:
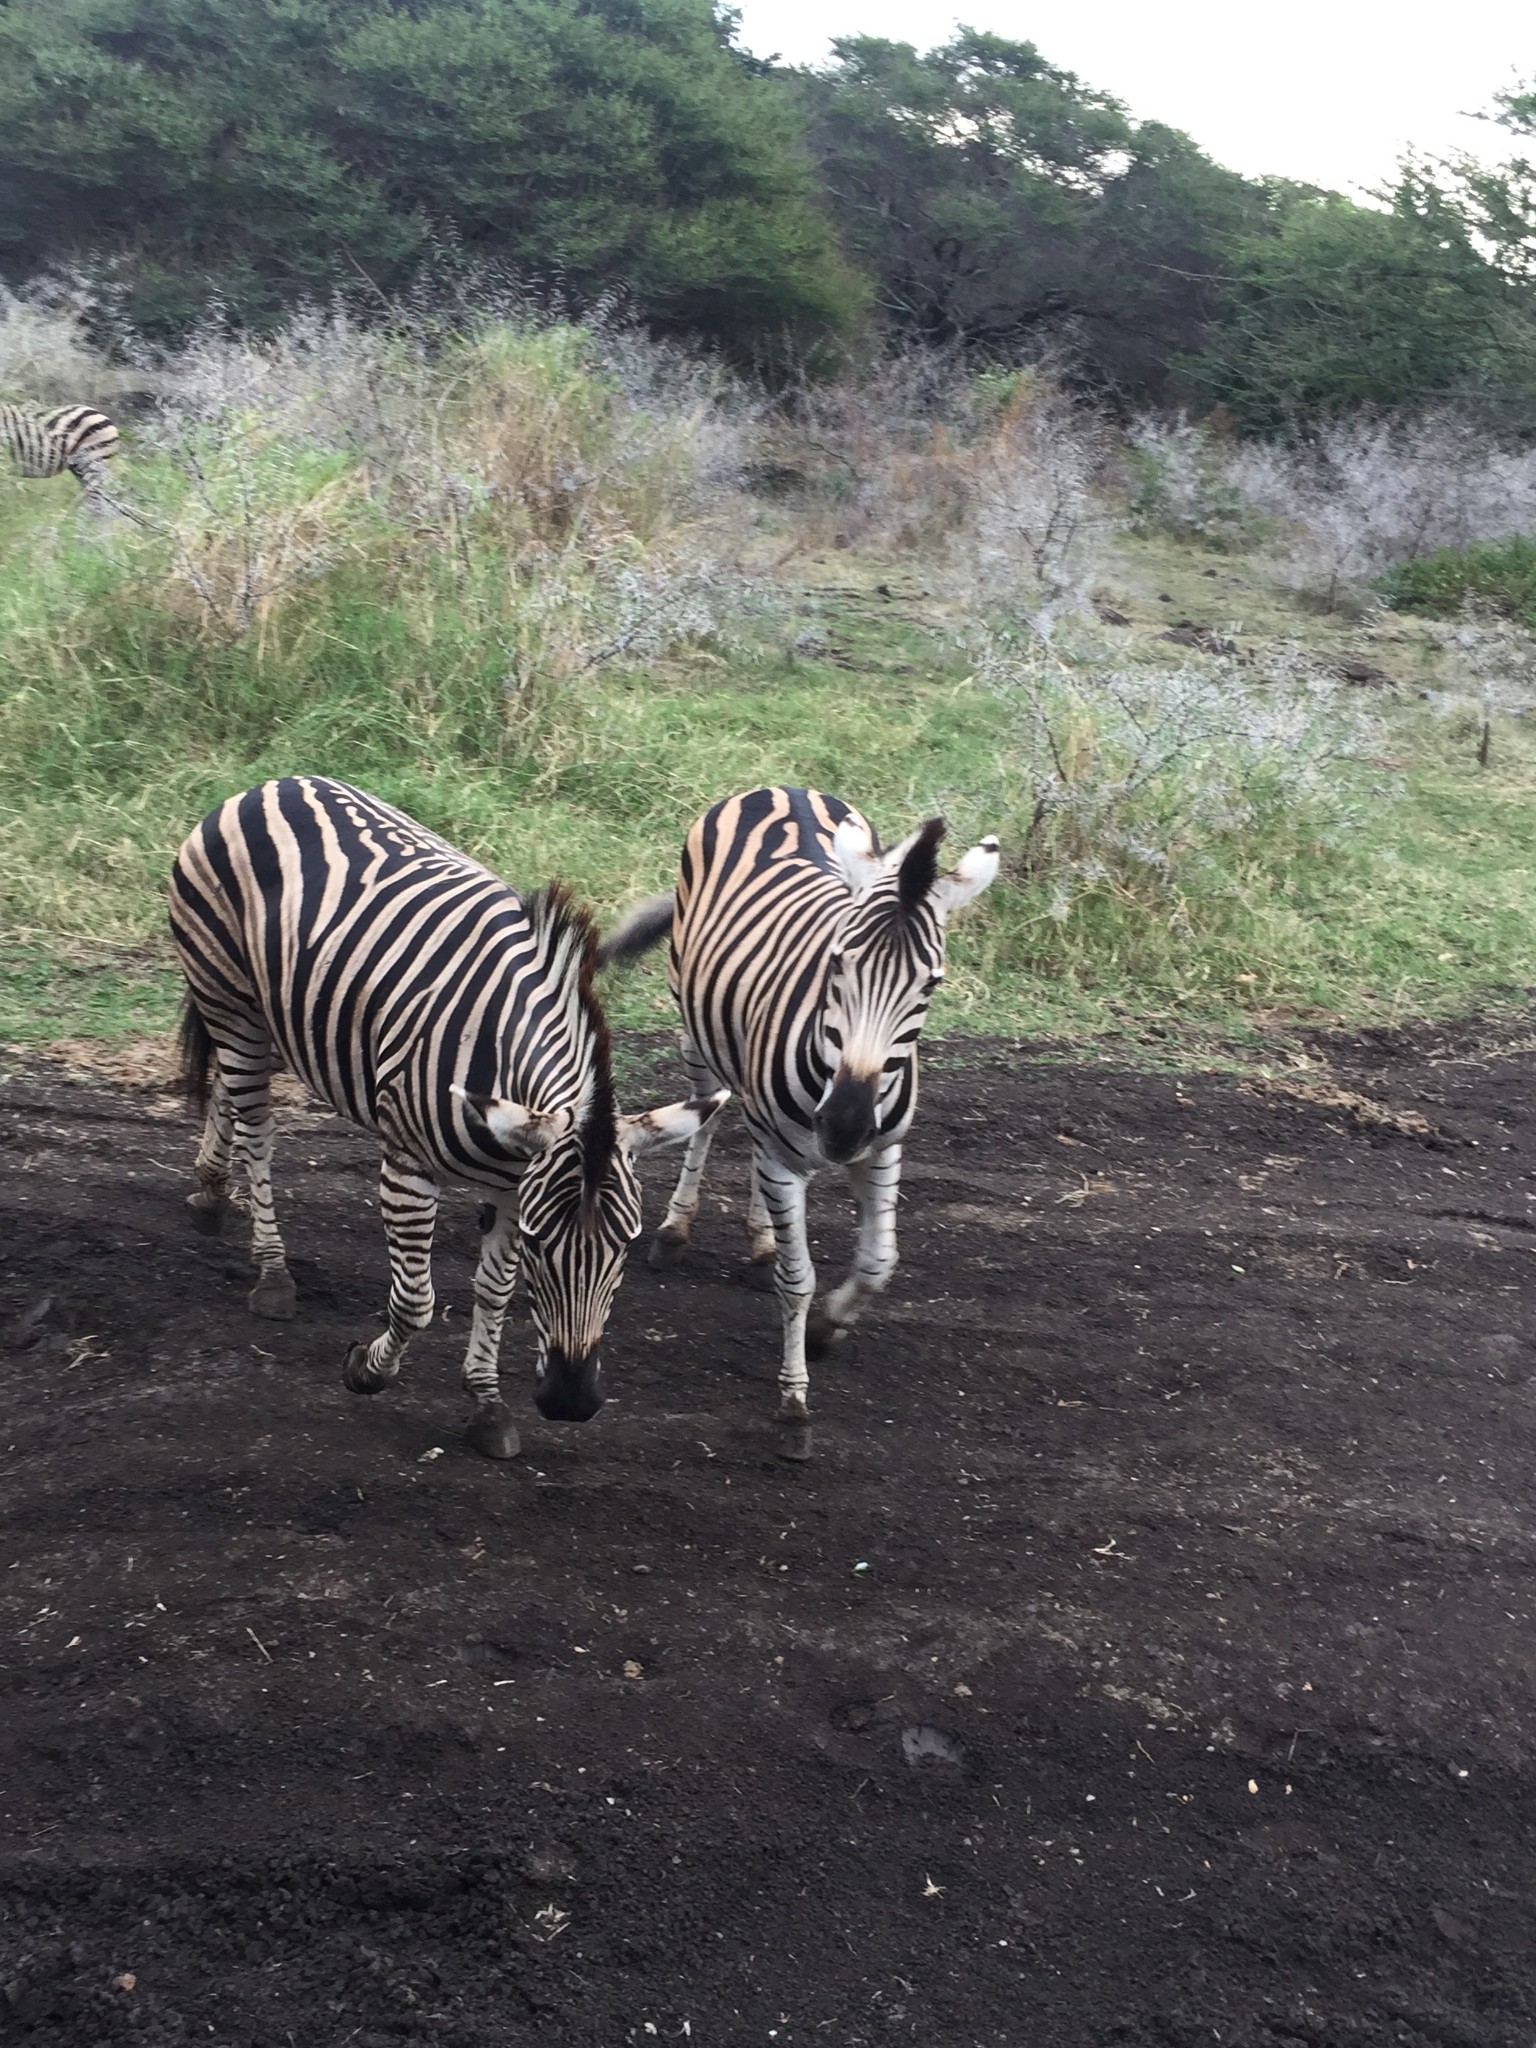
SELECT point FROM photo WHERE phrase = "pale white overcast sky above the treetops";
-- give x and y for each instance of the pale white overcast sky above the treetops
(1326, 91)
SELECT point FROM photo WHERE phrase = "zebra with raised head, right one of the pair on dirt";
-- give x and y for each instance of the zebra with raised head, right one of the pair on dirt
(804, 959)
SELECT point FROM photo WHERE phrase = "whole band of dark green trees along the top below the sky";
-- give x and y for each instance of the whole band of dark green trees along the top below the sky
(234, 155)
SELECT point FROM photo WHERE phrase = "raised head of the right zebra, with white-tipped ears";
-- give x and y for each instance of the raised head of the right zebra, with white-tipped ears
(884, 966)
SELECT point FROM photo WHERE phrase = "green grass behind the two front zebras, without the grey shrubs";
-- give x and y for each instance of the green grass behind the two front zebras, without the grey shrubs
(1420, 908)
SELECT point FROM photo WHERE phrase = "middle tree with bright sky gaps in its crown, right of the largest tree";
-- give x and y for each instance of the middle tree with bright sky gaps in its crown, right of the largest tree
(998, 200)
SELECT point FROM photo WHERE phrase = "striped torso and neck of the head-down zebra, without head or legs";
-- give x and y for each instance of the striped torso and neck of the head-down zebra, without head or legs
(398, 978)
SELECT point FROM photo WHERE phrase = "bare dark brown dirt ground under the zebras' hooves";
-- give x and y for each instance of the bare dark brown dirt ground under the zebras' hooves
(1181, 1484)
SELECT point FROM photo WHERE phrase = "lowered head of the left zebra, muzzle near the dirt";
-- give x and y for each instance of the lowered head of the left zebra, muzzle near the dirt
(579, 1215)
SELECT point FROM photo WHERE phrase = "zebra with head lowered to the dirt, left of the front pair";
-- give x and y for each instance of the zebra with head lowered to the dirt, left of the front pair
(429, 1002)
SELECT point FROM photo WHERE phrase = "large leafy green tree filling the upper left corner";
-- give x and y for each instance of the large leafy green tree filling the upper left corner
(261, 151)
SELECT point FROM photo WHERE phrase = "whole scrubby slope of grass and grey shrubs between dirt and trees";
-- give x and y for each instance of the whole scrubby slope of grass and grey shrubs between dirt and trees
(554, 589)
